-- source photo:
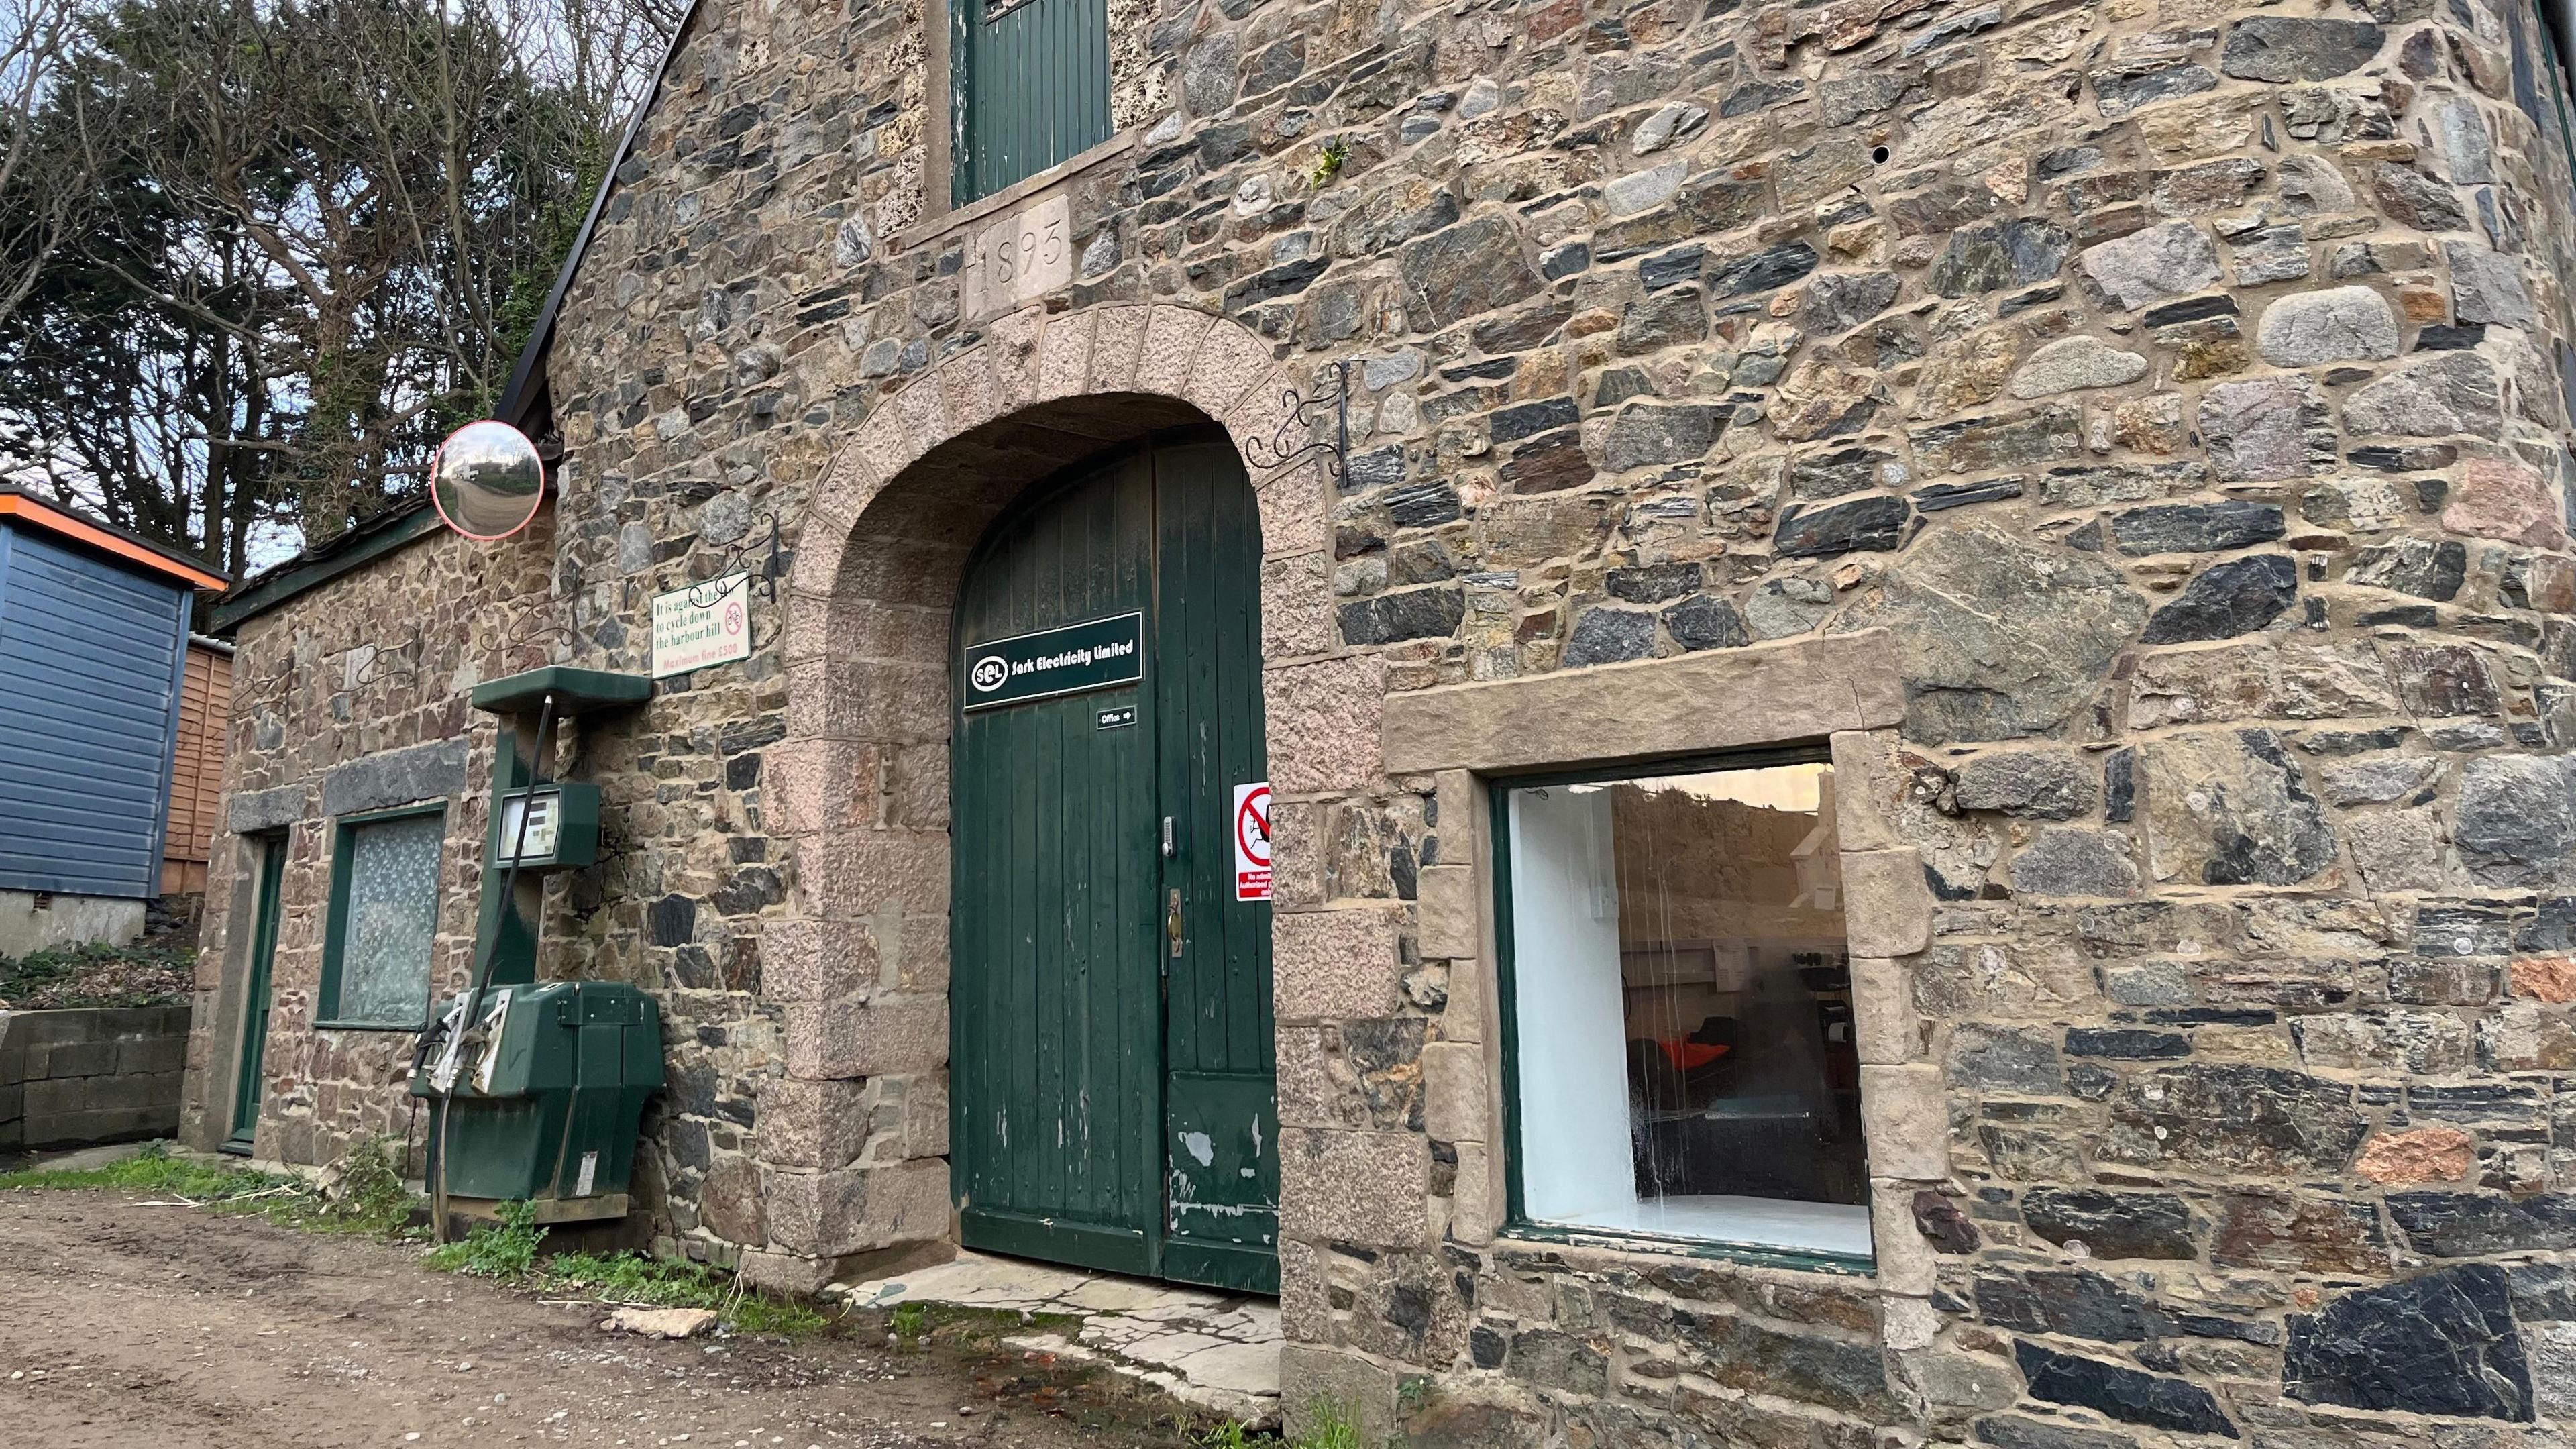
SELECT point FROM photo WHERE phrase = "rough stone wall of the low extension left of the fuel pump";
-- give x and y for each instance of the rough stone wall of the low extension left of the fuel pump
(349, 700)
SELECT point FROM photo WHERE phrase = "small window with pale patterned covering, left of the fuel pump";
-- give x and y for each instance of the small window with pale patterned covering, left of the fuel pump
(383, 919)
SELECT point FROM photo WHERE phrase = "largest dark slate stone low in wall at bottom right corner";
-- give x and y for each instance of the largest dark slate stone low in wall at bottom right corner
(2436, 1345)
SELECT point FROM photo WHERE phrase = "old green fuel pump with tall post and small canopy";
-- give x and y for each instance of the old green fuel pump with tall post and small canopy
(537, 1089)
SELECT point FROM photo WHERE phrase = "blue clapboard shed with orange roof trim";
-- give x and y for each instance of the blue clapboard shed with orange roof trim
(94, 638)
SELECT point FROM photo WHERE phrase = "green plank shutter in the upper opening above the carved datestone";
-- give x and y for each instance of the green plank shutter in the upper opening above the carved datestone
(1032, 89)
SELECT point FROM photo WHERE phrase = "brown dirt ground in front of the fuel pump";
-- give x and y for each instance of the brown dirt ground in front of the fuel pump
(164, 1327)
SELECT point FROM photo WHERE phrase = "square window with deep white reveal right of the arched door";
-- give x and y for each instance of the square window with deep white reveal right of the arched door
(1683, 1053)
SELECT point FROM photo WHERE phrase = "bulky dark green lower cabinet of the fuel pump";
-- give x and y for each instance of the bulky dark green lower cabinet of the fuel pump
(550, 1100)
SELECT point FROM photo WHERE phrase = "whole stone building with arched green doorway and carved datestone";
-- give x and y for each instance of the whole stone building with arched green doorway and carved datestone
(2060, 507)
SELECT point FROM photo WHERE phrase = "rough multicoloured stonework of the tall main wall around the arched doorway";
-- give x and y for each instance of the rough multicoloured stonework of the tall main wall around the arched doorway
(2170, 380)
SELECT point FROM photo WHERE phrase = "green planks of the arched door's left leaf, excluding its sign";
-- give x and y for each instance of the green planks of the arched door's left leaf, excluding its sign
(1055, 973)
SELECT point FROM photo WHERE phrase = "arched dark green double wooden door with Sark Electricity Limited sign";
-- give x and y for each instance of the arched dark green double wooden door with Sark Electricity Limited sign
(1112, 1076)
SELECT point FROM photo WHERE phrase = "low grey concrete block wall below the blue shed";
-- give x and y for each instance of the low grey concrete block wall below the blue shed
(71, 1079)
